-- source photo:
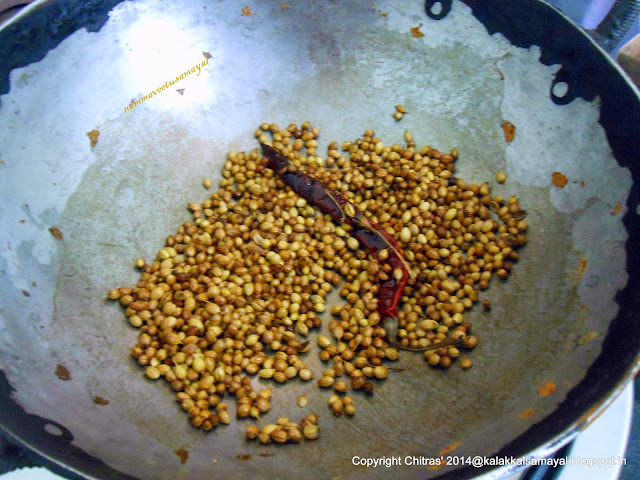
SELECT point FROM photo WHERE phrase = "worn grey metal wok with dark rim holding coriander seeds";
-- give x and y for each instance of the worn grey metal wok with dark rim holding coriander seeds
(569, 314)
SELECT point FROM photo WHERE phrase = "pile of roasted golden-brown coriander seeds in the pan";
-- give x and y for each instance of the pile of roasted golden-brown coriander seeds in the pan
(237, 291)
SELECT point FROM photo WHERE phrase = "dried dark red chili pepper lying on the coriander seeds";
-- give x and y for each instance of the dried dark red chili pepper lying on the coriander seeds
(374, 238)
